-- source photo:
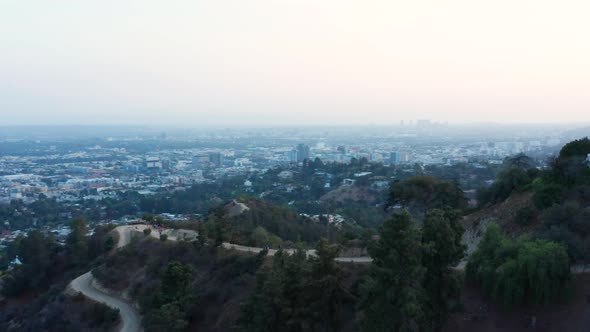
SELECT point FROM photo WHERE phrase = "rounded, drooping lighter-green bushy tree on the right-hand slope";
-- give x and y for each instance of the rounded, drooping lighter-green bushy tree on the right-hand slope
(518, 272)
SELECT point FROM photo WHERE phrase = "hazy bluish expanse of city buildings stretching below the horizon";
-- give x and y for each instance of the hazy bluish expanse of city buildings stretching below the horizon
(95, 172)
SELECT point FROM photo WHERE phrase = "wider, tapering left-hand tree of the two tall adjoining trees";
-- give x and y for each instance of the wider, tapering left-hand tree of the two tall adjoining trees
(392, 294)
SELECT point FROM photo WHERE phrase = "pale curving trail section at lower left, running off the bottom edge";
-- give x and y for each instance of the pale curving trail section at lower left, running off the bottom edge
(129, 315)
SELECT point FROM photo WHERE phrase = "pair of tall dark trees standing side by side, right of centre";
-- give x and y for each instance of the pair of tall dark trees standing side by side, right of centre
(410, 283)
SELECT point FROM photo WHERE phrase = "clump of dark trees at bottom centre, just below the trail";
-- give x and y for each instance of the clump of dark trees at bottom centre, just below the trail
(298, 294)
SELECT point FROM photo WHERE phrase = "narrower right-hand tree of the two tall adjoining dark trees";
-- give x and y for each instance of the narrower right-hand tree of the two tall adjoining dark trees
(443, 249)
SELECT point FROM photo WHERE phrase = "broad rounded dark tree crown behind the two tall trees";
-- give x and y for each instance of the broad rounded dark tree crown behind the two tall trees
(427, 192)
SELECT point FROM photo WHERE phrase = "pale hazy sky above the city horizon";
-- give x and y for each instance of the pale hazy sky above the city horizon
(272, 62)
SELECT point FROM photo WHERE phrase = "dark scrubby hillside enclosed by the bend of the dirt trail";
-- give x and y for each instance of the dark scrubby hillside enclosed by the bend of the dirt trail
(220, 282)
